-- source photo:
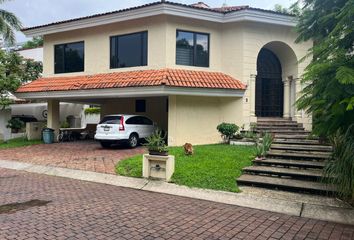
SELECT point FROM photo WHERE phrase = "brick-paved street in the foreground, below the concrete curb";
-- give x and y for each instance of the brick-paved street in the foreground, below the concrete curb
(83, 210)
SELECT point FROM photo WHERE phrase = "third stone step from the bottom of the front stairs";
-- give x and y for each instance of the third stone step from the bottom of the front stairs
(290, 163)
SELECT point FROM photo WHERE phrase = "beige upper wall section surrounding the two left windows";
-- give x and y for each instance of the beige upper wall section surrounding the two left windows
(97, 44)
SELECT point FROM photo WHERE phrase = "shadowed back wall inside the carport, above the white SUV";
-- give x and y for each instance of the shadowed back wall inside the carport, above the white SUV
(156, 109)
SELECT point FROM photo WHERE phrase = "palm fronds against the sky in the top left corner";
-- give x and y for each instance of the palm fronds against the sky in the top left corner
(9, 23)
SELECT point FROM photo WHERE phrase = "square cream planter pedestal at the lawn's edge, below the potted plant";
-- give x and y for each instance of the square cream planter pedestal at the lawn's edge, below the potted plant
(158, 167)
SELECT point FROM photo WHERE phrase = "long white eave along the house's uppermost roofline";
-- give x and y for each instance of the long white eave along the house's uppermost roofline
(164, 9)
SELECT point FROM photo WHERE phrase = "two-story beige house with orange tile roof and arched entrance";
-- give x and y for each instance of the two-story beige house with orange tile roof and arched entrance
(188, 67)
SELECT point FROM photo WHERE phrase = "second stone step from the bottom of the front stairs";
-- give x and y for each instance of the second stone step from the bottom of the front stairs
(314, 174)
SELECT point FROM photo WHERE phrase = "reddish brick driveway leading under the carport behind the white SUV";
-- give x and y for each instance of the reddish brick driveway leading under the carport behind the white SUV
(83, 155)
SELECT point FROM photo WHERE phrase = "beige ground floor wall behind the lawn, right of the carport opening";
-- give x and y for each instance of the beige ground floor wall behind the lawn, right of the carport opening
(194, 119)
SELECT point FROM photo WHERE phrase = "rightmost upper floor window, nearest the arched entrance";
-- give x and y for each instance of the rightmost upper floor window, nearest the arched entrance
(192, 49)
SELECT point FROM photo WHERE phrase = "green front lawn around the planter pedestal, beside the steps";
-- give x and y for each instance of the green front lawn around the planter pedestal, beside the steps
(211, 166)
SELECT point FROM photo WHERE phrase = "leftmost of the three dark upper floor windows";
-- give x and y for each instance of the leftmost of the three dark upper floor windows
(69, 57)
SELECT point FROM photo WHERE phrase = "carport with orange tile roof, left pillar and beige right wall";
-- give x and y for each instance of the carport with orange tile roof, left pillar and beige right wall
(188, 104)
